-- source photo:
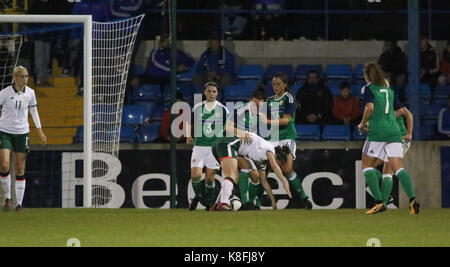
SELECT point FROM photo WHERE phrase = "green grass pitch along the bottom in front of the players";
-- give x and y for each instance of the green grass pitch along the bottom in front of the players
(182, 228)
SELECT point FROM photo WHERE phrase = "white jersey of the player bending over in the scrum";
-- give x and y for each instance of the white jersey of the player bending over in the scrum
(257, 150)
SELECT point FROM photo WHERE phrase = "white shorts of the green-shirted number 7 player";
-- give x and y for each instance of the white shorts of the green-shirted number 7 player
(382, 150)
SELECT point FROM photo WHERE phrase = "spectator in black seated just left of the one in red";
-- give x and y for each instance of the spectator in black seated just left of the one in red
(315, 101)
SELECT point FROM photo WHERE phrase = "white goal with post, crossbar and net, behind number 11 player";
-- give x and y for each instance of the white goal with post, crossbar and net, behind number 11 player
(100, 64)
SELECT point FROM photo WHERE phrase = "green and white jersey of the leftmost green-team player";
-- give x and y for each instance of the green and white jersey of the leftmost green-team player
(209, 125)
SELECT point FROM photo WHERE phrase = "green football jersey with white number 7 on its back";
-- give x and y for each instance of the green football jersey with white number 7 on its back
(383, 125)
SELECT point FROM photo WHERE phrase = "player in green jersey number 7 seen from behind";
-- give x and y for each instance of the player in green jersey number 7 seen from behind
(384, 136)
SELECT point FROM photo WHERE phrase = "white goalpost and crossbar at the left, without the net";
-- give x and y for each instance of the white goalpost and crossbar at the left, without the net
(86, 20)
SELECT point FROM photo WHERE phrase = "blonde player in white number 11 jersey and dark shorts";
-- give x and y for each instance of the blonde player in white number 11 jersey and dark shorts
(15, 101)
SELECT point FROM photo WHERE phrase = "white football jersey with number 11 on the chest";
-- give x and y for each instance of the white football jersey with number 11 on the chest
(14, 106)
